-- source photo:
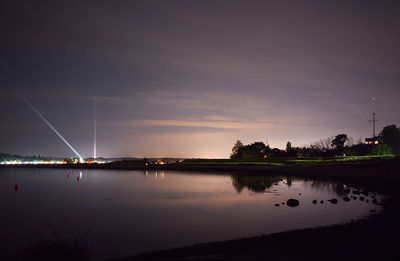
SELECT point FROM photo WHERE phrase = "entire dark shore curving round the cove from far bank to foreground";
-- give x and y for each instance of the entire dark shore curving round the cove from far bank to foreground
(368, 239)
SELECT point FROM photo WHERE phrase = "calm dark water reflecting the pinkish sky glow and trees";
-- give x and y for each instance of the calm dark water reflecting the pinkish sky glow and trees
(126, 212)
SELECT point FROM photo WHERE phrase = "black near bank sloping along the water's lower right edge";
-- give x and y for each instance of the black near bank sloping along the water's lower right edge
(373, 239)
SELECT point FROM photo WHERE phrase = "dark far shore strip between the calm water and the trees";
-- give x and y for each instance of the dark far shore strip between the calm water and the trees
(378, 174)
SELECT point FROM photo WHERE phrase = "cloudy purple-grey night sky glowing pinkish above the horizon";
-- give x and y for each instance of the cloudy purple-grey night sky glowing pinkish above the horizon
(189, 78)
